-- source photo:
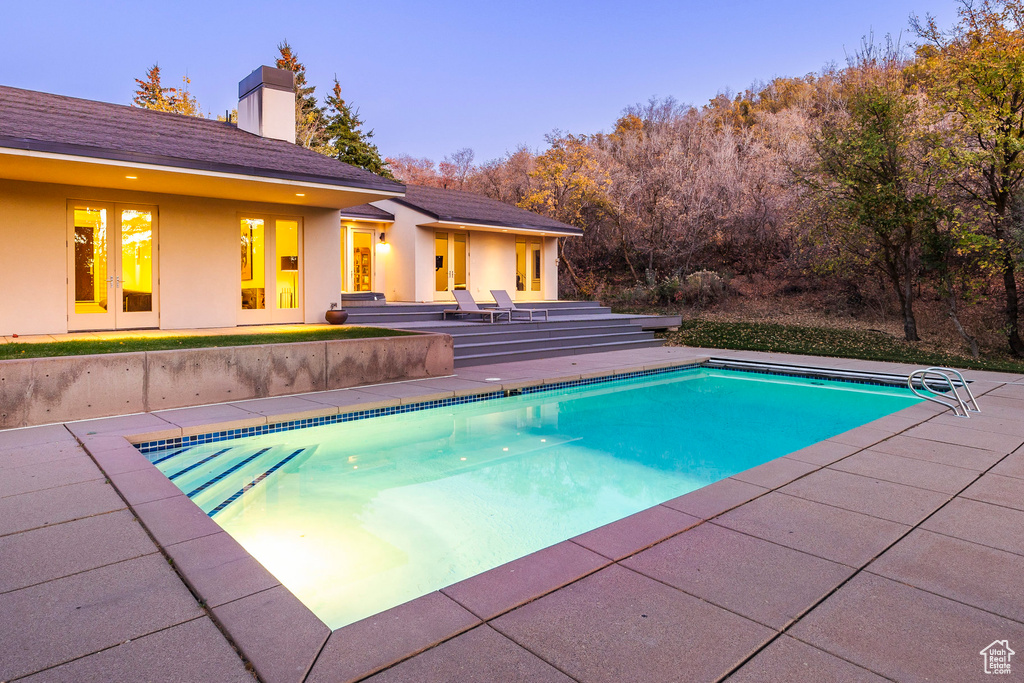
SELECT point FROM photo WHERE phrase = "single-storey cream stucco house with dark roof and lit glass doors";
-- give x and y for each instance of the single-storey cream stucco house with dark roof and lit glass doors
(116, 218)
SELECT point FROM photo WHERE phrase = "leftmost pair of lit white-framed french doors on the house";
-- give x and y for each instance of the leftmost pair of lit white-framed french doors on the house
(113, 276)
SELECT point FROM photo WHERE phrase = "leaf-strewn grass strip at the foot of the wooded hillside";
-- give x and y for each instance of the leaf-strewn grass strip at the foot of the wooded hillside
(825, 341)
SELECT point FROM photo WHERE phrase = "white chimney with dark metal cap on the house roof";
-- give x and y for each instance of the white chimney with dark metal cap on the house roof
(267, 104)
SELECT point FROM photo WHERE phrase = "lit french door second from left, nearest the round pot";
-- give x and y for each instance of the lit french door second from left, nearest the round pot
(272, 270)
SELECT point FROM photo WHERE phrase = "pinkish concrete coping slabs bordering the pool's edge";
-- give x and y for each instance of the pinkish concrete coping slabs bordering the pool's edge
(249, 604)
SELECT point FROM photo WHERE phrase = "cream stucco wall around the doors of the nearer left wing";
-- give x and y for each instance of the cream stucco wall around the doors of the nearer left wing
(198, 257)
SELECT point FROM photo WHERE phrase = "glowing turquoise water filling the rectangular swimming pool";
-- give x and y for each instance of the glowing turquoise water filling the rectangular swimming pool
(361, 517)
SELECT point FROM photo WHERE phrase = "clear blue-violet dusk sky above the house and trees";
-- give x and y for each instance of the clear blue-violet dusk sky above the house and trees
(431, 78)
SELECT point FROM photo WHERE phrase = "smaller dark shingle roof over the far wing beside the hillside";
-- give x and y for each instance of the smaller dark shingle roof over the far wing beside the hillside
(459, 207)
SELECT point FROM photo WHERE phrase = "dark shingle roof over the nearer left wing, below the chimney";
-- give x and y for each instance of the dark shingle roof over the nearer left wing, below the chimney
(42, 122)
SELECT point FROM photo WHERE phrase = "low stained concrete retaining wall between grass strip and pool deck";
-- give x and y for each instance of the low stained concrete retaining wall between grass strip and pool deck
(35, 392)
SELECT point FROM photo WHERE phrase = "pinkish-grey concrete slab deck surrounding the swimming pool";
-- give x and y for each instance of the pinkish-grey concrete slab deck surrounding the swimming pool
(891, 552)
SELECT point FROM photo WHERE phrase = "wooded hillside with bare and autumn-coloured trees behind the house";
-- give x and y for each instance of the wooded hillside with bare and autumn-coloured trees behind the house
(887, 193)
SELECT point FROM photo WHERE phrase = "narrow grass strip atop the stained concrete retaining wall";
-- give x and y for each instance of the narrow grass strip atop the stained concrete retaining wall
(130, 345)
